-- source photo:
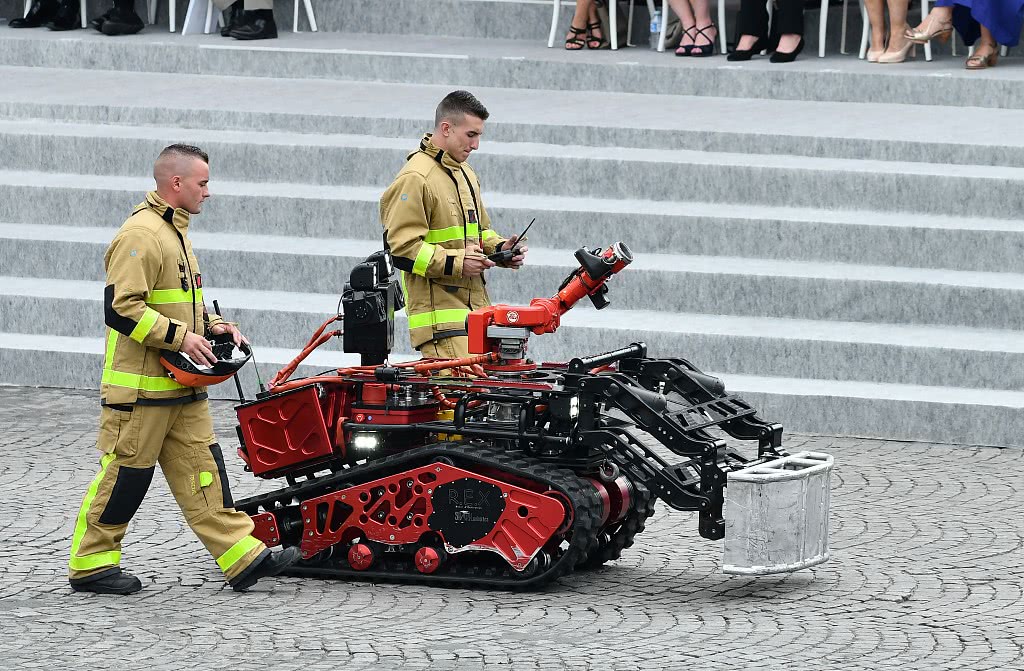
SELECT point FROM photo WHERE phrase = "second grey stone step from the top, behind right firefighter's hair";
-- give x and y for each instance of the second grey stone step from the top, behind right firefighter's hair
(917, 134)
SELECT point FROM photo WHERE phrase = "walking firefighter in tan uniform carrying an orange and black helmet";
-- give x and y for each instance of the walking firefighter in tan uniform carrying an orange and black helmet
(154, 302)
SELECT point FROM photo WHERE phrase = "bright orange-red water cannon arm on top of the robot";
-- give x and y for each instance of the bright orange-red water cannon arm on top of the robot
(505, 329)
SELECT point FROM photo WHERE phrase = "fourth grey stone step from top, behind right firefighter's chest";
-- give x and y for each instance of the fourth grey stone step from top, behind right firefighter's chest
(696, 228)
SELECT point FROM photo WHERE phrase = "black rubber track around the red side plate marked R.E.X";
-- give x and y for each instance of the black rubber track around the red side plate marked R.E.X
(583, 540)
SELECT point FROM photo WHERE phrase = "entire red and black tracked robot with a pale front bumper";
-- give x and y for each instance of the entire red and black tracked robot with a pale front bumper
(496, 472)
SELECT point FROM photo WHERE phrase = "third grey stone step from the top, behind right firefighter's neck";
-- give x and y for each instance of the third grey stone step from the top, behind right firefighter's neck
(538, 169)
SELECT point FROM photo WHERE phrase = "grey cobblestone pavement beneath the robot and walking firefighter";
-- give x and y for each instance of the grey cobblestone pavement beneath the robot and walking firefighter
(926, 575)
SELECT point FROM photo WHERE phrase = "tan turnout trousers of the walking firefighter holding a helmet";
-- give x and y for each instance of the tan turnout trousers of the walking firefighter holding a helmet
(133, 441)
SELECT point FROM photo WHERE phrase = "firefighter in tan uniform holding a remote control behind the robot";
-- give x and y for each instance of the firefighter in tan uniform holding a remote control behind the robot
(439, 232)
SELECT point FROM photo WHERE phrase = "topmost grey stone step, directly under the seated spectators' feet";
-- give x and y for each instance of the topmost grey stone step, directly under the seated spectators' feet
(519, 64)
